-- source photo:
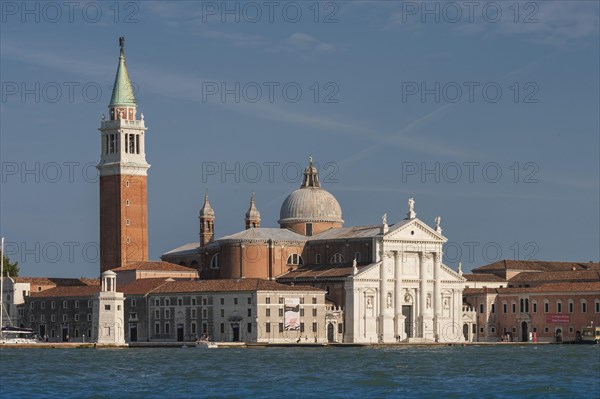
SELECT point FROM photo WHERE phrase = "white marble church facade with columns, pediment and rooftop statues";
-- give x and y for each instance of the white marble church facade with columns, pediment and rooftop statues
(408, 294)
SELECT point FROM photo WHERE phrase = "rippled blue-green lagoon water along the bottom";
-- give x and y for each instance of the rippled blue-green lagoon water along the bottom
(528, 371)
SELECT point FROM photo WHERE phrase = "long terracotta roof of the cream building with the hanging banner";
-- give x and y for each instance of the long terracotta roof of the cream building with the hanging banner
(246, 284)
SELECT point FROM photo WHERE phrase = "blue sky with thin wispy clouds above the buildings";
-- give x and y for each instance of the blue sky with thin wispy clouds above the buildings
(499, 103)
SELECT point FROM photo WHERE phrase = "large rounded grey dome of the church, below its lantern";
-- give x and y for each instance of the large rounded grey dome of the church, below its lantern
(310, 204)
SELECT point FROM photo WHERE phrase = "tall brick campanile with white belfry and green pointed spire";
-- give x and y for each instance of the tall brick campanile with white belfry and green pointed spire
(123, 171)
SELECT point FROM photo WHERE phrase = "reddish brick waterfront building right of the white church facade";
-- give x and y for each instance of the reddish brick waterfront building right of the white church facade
(516, 299)
